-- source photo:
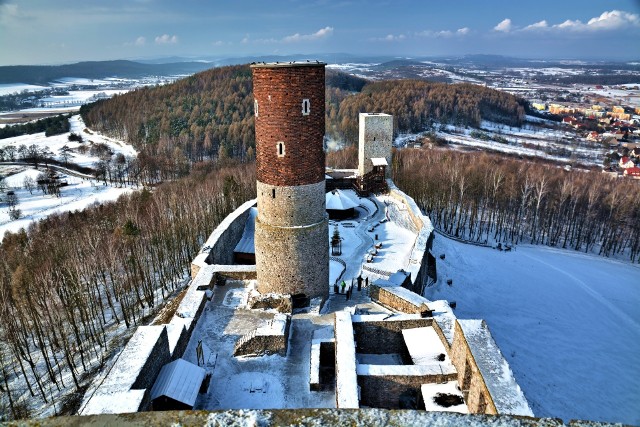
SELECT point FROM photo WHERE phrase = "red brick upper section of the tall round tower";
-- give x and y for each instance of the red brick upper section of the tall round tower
(283, 116)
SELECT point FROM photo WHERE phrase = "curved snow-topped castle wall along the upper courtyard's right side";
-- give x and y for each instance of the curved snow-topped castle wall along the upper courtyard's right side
(420, 263)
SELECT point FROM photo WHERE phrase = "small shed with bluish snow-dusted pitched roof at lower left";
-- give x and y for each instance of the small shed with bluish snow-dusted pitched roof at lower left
(180, 380)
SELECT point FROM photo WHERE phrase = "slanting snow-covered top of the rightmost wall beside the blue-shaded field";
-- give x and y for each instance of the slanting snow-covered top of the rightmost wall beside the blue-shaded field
(505, 391)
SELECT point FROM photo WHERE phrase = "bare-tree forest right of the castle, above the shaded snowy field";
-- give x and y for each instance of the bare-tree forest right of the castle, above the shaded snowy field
(490, 198)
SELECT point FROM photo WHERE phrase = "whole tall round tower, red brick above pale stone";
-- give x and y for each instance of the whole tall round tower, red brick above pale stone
(292, 229)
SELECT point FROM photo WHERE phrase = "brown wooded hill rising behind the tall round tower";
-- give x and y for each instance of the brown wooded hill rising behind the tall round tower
(210, 114)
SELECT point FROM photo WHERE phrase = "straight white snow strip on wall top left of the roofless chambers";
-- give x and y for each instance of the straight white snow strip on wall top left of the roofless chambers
(346, 378)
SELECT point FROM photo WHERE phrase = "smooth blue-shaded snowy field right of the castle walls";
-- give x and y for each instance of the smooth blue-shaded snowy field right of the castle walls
(567, 323)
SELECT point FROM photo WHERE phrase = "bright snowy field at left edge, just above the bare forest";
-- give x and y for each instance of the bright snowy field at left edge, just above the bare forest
(79, 194)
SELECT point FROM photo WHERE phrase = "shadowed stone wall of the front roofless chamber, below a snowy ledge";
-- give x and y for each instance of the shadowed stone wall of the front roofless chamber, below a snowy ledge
(386, 391)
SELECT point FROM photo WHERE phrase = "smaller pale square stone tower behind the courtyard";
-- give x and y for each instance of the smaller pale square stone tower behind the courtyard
(375, 136)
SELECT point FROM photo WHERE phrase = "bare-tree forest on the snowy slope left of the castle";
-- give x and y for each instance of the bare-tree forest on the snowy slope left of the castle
(73, 284)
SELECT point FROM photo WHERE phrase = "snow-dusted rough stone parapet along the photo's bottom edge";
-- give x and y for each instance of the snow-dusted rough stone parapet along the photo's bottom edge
(296, 417)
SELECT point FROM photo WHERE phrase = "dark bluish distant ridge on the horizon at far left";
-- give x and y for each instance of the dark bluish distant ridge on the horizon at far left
(42, 74)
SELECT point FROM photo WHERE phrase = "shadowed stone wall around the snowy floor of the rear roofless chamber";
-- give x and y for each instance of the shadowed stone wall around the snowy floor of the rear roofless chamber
(385, 337)
